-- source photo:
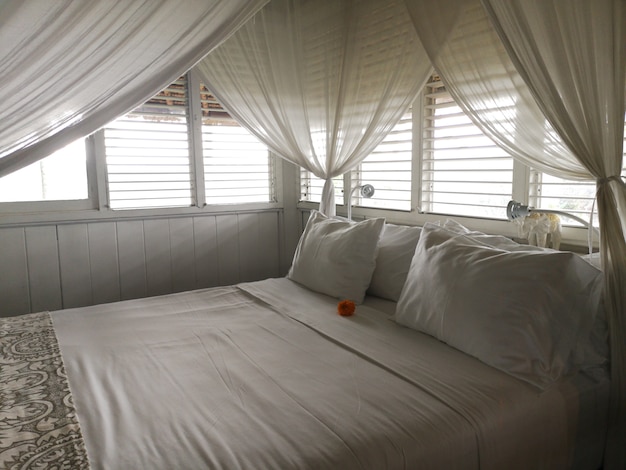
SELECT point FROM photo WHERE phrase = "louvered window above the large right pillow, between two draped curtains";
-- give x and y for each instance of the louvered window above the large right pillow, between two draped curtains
(464, 172)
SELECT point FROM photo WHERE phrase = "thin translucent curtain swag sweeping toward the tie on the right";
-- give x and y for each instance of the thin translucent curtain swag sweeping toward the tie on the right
(478, 73)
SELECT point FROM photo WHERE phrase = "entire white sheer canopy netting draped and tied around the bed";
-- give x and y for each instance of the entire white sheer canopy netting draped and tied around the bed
(322, 82)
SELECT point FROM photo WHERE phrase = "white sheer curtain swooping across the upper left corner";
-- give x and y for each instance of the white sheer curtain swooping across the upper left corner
(69, 67)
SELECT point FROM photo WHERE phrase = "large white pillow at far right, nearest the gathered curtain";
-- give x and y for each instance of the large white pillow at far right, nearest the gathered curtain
(520, 311)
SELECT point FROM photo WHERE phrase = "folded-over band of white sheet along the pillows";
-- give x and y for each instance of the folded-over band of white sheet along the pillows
(517, 425)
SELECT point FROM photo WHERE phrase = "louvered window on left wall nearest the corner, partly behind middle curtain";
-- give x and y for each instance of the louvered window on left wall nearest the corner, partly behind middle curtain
(237, 166)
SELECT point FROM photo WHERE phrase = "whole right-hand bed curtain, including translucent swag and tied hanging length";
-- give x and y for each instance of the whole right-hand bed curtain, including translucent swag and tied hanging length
(556, 73)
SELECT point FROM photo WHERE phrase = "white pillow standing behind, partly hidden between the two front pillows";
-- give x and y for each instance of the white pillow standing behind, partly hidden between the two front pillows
(395, 251)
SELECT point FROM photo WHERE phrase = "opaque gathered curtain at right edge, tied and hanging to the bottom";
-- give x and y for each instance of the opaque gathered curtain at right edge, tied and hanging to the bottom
(572, 55)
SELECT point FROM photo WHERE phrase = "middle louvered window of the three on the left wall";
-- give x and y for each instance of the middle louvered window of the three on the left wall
(147, 153)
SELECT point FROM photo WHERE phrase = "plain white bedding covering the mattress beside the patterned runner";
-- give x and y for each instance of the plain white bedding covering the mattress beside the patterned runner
(267, 375)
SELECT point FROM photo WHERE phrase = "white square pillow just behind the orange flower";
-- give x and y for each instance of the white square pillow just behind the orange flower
(336, 257)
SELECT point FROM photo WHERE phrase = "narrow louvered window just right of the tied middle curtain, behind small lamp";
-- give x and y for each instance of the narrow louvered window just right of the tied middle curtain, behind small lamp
(388, 169)
